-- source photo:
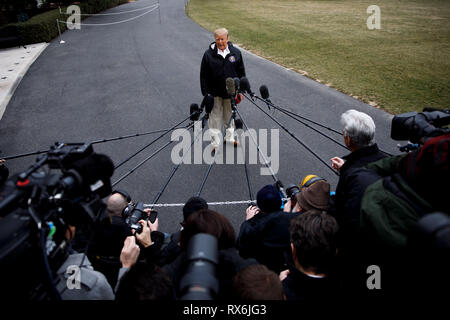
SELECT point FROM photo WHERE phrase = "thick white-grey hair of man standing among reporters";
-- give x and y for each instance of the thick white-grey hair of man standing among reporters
(359, 126)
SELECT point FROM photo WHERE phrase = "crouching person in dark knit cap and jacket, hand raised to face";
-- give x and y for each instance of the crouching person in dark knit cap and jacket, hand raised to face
(264, 235)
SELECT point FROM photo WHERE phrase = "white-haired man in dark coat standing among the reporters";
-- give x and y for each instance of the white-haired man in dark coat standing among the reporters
(359, 133)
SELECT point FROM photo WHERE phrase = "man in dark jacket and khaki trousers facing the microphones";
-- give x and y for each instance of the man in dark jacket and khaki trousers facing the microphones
(220, 61)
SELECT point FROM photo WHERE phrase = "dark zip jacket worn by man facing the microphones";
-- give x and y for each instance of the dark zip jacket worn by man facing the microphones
(215, 69)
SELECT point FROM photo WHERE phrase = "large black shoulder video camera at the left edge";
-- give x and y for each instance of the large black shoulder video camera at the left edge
(37, 209)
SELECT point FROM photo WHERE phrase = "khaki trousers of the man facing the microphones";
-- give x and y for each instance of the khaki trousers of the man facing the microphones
(218, 120)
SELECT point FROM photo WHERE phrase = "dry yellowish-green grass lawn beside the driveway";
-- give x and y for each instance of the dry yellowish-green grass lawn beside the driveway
(403, 66)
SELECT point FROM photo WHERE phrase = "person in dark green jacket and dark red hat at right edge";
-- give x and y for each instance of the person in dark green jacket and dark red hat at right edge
(395, 193)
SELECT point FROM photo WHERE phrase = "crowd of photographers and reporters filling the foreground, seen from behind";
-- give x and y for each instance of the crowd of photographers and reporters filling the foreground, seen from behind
(388, 212)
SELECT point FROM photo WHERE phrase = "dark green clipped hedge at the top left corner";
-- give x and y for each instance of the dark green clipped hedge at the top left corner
(43, 27)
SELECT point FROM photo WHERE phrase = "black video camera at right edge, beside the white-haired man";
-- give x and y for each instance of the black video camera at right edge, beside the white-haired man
(415, 126)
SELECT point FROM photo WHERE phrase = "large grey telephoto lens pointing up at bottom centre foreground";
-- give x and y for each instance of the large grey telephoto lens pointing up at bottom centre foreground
(199, 281)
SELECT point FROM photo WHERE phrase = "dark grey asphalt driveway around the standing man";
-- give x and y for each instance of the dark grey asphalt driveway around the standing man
(108, 81)
